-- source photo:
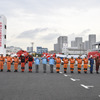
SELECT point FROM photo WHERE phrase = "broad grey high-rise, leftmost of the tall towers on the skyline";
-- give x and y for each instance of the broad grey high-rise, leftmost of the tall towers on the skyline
(61, 40)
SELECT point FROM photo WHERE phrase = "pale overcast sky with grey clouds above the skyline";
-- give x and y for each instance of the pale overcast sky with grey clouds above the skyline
(43, 21)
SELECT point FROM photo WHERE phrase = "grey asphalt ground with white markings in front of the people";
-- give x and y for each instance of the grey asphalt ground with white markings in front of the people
(47, 86)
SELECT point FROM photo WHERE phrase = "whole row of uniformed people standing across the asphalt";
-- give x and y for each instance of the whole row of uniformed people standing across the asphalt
(51, 63)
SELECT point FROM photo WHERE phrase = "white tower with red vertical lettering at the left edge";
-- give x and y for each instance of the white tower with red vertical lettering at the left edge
(3, 28)
